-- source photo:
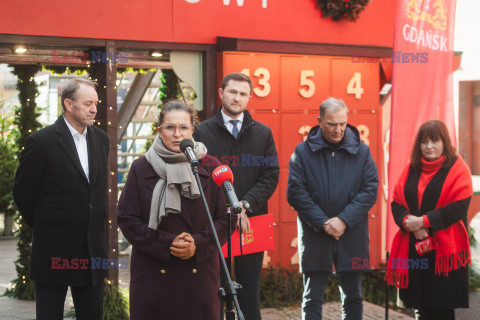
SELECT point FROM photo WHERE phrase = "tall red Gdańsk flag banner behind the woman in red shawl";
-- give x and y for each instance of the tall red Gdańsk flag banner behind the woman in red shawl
(422, 79)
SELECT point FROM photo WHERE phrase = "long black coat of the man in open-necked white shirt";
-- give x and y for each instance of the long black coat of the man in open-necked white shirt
(67, 212)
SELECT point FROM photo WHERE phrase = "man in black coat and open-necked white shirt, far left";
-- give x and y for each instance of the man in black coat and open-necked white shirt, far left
(60, 189)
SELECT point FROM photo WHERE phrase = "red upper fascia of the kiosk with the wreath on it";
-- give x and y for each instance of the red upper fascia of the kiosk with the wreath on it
(201, 22)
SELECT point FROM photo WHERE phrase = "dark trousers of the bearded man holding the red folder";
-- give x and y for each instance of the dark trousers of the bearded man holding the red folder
(248, 270)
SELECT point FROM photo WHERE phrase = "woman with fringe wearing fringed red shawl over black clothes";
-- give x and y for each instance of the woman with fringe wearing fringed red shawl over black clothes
(430, 204)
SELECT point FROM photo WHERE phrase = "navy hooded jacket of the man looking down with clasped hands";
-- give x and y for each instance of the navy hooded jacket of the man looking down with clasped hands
(326, 182)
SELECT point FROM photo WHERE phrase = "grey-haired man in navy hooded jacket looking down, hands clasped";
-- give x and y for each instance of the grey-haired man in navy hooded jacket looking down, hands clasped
(332, 184)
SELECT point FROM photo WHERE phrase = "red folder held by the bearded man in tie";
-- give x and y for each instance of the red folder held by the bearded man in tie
(259, 238)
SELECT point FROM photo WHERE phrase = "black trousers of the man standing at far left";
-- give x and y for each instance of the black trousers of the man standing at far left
(50, 301)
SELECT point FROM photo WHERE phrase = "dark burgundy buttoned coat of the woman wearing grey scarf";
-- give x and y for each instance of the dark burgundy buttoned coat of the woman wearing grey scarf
(163, 287)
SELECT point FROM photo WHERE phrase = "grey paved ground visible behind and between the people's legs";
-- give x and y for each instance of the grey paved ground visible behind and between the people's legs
(11, 309)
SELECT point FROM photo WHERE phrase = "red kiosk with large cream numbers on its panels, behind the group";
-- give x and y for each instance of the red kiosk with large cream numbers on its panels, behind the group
(296, 58)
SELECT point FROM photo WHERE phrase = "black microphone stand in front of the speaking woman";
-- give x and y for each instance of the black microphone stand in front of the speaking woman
(231, 294)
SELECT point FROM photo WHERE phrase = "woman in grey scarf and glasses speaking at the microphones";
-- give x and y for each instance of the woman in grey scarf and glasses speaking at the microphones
(174, 271)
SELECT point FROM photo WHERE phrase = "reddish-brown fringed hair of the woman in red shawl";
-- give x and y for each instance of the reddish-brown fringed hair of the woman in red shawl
(433, 129)
